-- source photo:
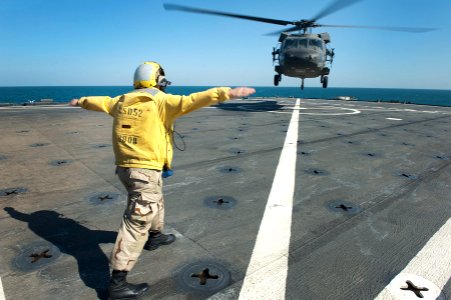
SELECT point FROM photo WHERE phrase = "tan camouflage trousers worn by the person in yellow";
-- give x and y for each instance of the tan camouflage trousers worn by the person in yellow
(144, 212)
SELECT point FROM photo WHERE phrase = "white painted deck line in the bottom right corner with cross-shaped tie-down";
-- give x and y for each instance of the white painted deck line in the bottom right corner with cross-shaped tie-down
(430, 269)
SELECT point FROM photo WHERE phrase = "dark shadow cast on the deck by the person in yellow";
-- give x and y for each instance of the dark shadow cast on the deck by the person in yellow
(76, 240)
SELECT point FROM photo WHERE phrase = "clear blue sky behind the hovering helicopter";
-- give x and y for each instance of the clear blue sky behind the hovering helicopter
(101, 42)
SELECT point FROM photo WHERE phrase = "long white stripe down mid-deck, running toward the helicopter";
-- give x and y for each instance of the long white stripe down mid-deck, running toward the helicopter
(268, 267)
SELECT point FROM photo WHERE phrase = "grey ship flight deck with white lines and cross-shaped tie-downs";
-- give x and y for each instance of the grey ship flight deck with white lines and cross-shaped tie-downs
(271, 198)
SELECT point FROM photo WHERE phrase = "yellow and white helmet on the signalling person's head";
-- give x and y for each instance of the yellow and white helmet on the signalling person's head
(150, 74)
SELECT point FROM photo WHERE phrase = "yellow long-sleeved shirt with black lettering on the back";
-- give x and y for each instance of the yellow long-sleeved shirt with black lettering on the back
(143, 122)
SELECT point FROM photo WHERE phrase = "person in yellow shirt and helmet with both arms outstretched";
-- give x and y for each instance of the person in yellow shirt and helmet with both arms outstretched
(142, 143)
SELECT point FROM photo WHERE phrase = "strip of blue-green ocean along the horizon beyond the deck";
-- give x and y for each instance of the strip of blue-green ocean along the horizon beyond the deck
(62, 94)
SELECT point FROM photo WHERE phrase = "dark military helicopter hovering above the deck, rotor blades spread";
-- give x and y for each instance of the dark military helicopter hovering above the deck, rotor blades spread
(303, 54)
